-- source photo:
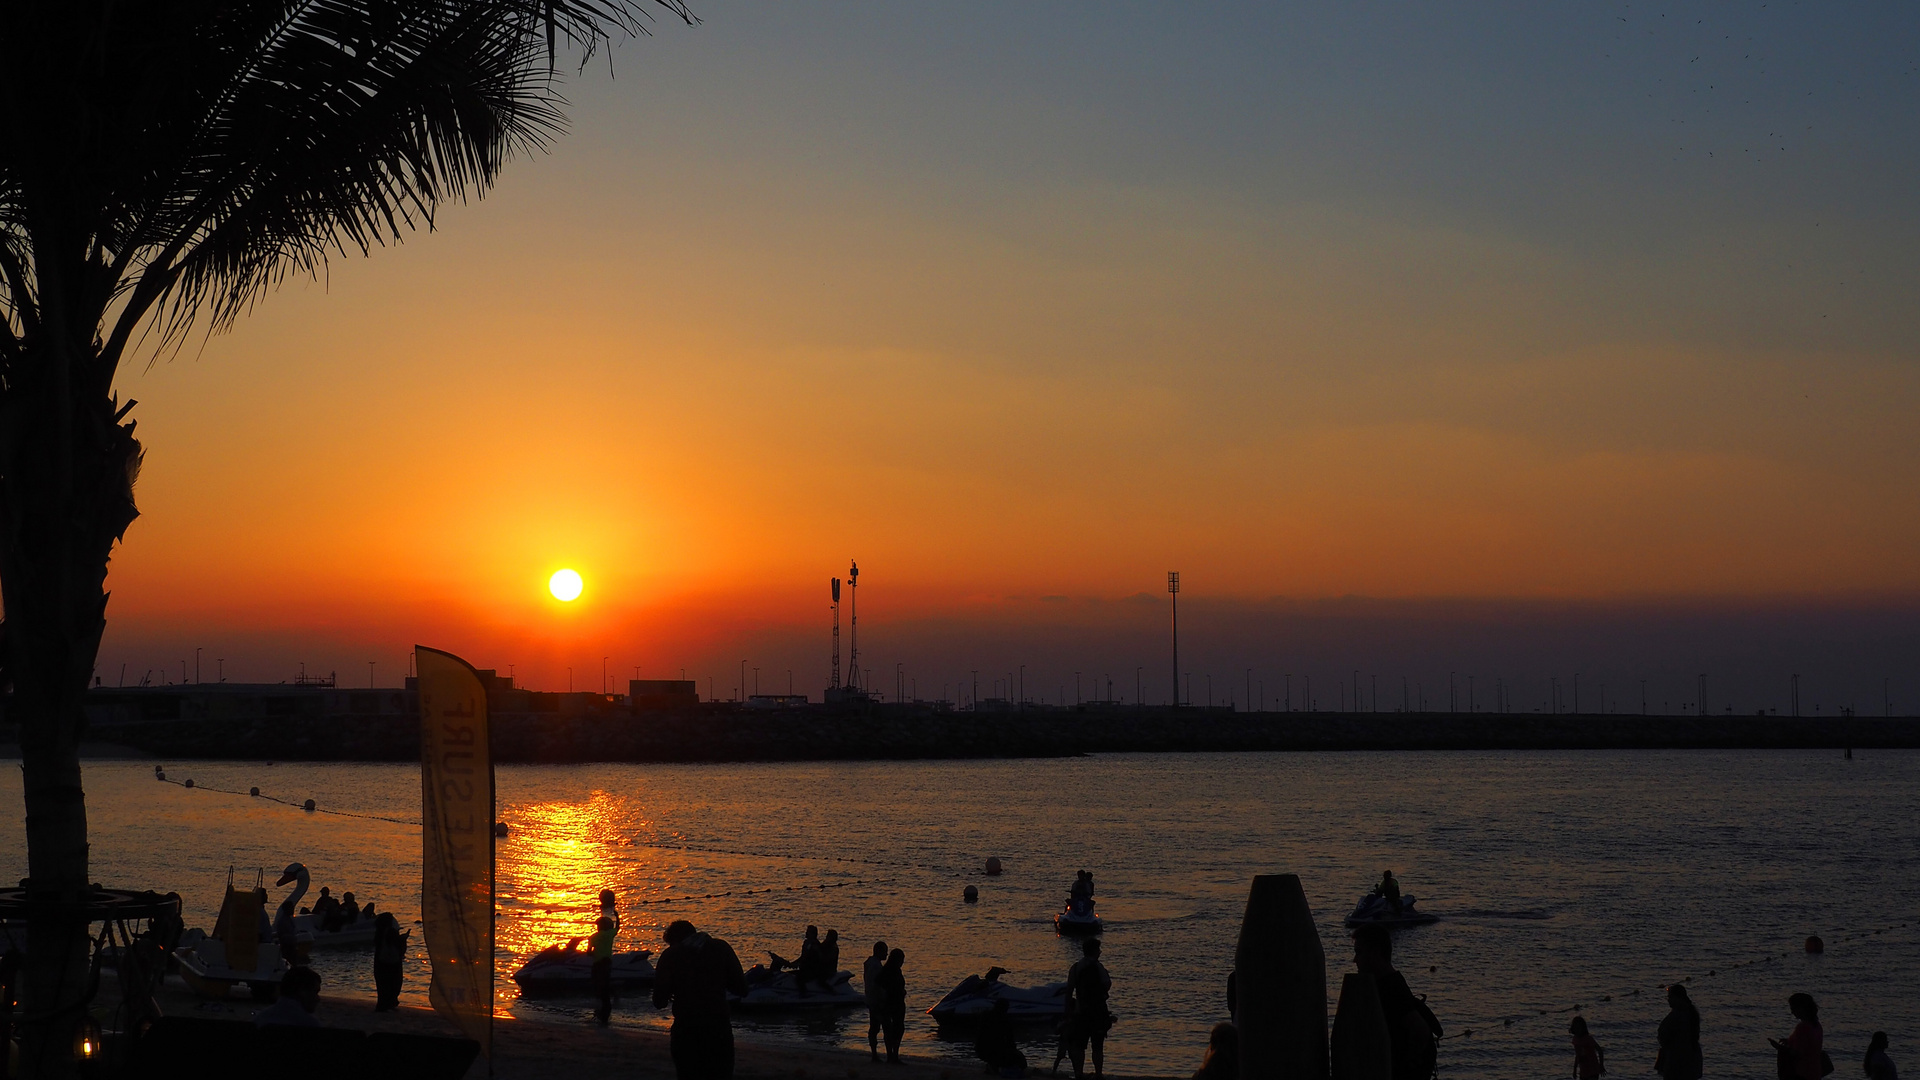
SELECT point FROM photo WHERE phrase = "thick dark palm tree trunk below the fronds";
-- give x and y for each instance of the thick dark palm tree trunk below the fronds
(66, 497)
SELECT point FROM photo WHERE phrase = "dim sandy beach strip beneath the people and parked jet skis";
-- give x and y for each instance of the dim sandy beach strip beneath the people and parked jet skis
(535, 1050)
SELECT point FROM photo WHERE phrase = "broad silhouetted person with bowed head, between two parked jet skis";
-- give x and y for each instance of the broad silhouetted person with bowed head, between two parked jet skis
(694, 977)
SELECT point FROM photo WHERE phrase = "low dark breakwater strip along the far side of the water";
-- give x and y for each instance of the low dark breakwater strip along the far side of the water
(725, 735)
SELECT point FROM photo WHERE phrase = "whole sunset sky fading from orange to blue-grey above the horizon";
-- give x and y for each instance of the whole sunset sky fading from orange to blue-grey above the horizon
(1500, 339)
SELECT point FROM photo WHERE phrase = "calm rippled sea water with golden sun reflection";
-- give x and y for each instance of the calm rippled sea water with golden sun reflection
(1564, 879)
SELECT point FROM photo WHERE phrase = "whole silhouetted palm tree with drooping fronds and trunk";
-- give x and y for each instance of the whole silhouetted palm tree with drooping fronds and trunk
(164, 164)
